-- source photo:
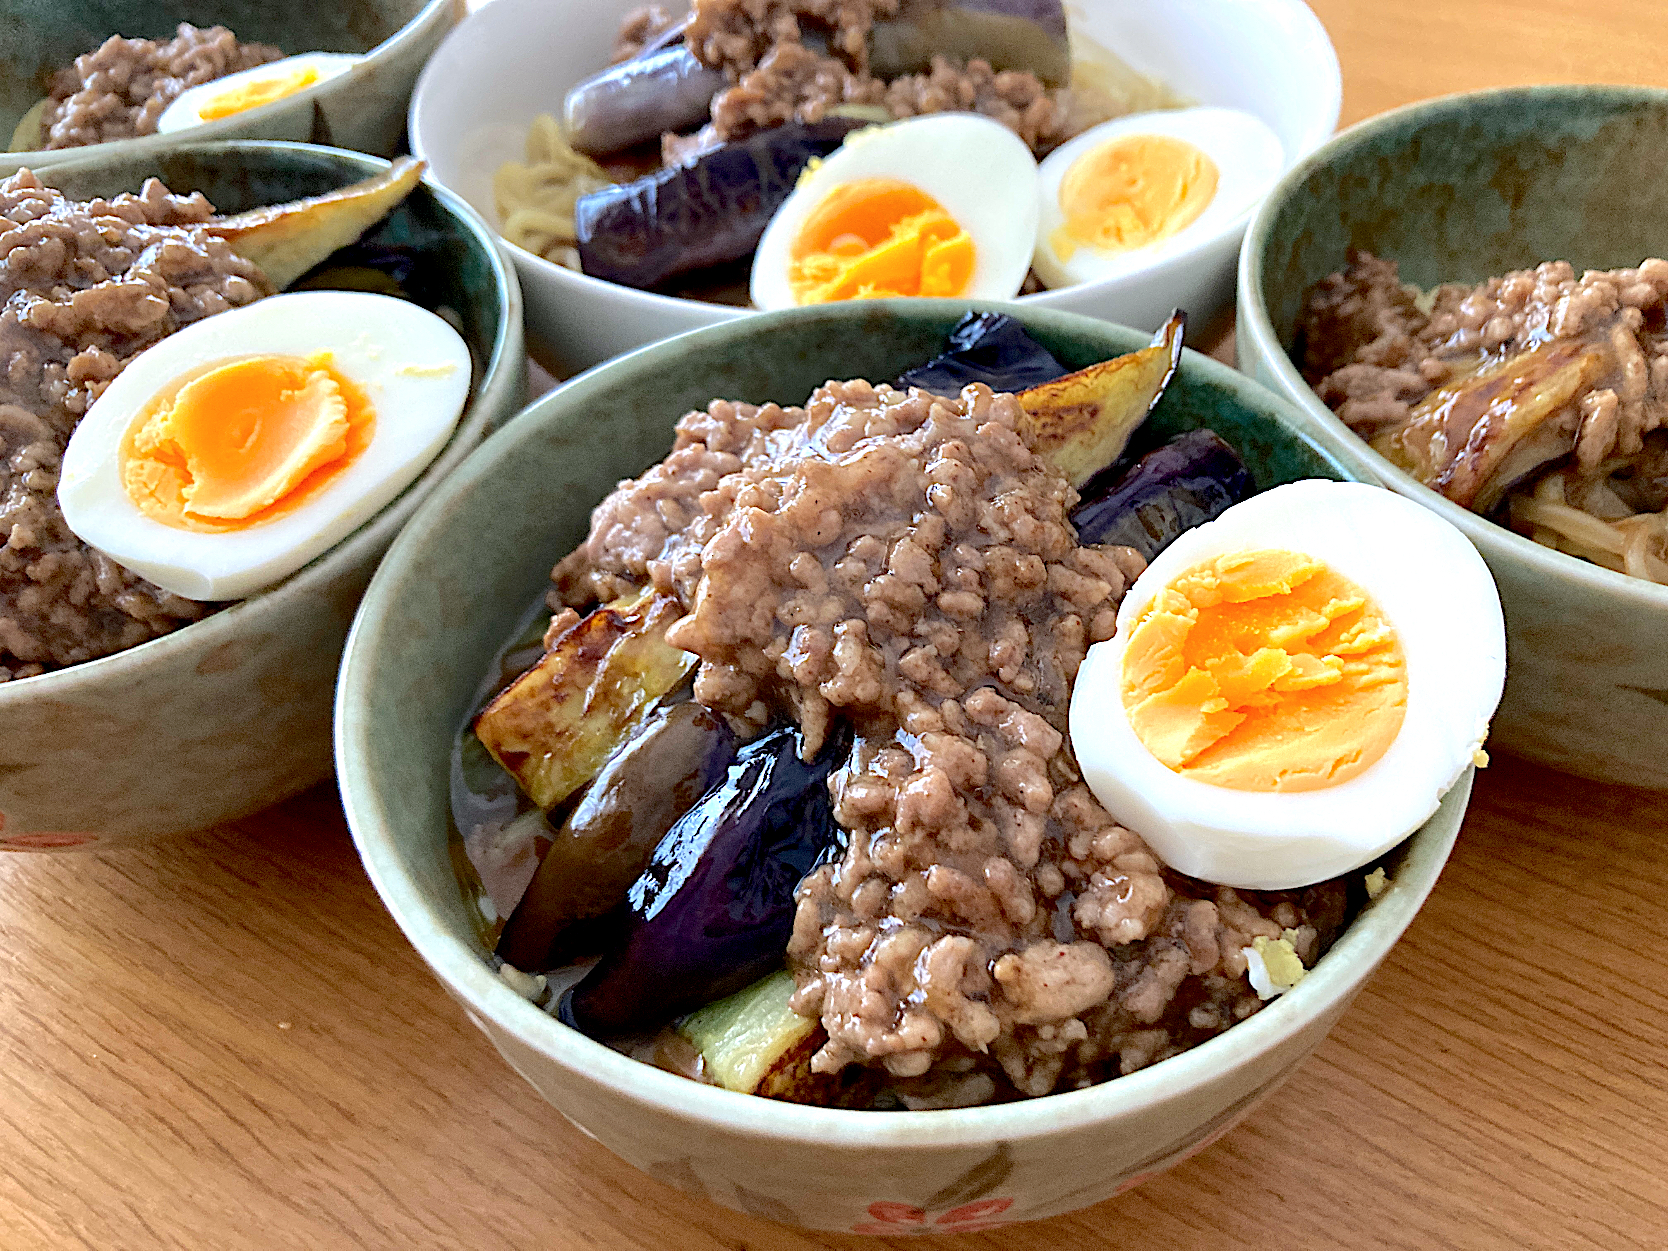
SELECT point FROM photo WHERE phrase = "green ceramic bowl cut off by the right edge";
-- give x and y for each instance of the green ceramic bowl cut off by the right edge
(1455, 191)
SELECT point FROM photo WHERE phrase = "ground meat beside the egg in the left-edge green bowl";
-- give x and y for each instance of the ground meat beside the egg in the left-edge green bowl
(84, 289)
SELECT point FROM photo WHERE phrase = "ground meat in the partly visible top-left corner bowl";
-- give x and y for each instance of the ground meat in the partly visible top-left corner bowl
(121, 89)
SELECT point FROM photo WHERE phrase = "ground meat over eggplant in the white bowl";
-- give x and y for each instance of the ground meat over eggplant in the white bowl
(776, 78)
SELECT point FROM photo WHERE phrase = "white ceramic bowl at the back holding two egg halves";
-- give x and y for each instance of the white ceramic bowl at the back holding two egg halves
(516, 59)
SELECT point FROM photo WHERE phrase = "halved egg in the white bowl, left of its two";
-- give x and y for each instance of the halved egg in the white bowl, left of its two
(935, 206)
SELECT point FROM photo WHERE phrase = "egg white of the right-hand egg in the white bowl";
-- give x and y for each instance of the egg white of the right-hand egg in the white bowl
(1248, 163)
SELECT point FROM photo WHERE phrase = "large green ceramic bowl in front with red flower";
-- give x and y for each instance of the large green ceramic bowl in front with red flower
(453, 590)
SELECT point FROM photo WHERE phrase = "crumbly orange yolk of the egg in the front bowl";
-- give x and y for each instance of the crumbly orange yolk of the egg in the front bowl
(1265, 671)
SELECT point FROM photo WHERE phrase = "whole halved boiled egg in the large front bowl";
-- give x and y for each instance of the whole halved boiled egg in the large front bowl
(1294, 686)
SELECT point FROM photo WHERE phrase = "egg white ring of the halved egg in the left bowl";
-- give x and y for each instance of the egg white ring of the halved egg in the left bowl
(413, 368)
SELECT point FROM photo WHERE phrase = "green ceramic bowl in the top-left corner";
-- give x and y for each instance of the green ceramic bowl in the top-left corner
(363, 109)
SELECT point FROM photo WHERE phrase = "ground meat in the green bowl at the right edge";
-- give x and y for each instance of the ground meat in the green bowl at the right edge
(1374, 351)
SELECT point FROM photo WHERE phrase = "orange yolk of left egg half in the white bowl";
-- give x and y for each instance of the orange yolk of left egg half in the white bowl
(878, 238)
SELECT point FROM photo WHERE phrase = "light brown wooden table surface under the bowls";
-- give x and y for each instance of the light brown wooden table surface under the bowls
(223, 1042)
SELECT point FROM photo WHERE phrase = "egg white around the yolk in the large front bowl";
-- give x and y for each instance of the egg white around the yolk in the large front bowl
(1440, 598)
